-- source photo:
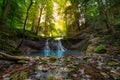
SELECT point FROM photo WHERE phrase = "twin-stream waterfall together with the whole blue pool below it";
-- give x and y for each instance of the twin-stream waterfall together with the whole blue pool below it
(54, 48)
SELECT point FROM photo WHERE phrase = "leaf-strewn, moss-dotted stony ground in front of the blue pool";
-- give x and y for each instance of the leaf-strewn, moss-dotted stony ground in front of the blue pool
(92, 67)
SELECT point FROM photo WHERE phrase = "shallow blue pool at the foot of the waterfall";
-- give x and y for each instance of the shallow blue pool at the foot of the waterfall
(54, 53)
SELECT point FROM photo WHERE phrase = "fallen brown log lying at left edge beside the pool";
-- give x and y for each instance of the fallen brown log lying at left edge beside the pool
(13, 58)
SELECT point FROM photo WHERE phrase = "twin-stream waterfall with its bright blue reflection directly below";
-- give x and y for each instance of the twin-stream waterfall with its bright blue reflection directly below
(54, 47)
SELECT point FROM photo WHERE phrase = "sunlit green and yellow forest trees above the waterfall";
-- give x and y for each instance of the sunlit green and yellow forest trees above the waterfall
(50, 18)
